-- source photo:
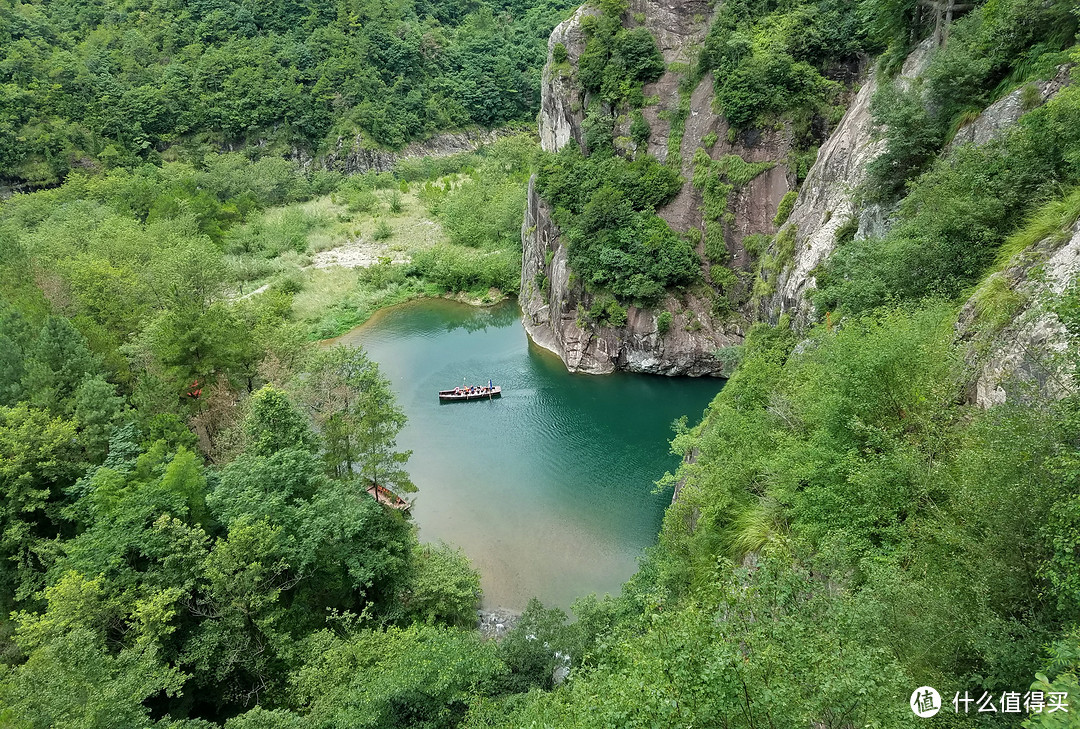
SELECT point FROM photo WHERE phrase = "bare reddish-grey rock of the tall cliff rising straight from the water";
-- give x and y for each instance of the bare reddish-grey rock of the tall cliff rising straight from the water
(692, 342)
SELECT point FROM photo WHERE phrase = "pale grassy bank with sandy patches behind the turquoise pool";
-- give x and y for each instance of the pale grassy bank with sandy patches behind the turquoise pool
(428, 229)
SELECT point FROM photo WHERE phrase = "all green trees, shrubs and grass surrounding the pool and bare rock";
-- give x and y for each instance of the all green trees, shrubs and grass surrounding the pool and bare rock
(185, 536)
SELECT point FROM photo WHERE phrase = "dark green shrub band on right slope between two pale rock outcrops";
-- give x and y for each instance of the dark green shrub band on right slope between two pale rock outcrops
(957, 217)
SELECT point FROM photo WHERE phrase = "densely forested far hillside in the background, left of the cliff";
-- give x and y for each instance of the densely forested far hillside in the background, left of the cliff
(106, 84)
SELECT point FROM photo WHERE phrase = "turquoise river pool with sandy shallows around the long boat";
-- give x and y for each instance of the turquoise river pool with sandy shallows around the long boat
(548, 490)
